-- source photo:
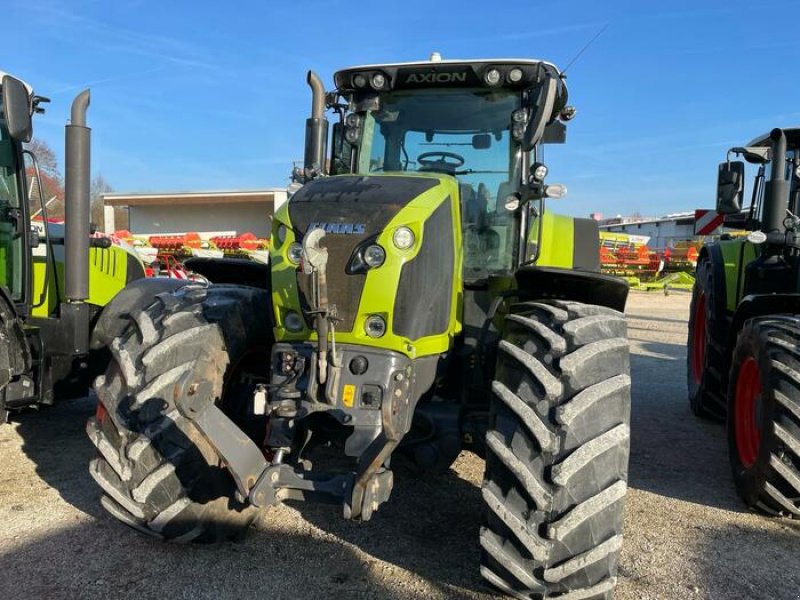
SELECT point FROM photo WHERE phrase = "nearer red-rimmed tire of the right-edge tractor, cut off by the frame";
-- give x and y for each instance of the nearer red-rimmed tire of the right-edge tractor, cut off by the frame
(764, 415)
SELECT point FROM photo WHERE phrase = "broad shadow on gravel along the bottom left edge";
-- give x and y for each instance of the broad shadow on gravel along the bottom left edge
(103, 559)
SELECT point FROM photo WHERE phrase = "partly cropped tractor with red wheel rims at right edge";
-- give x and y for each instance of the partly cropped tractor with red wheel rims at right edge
(744, 328)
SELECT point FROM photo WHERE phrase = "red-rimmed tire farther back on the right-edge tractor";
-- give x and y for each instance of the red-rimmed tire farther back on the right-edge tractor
(705, 362)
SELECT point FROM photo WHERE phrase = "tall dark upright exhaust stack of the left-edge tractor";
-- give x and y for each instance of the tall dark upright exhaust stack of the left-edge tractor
(75, 312)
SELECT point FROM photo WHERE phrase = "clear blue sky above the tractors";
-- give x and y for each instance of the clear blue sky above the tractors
(210, 95)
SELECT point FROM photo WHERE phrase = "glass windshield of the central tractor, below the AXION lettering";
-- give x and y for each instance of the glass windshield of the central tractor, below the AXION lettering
(464, 133)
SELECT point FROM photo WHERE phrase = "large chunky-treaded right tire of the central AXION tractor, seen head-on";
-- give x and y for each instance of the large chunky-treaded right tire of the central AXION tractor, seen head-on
(557, 452)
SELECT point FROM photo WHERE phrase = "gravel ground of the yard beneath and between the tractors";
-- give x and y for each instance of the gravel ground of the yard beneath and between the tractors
(686, 533)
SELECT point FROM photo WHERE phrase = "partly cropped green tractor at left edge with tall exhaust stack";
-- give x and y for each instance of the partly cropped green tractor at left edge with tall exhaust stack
(55, 280)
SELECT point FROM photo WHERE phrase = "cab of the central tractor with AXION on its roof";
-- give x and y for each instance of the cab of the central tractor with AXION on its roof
(476, 121)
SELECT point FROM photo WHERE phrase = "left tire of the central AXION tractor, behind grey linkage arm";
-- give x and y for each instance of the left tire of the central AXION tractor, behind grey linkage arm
(158, 474)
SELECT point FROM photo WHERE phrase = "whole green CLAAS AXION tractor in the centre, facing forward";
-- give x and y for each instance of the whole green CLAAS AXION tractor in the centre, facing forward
(421, 302)
